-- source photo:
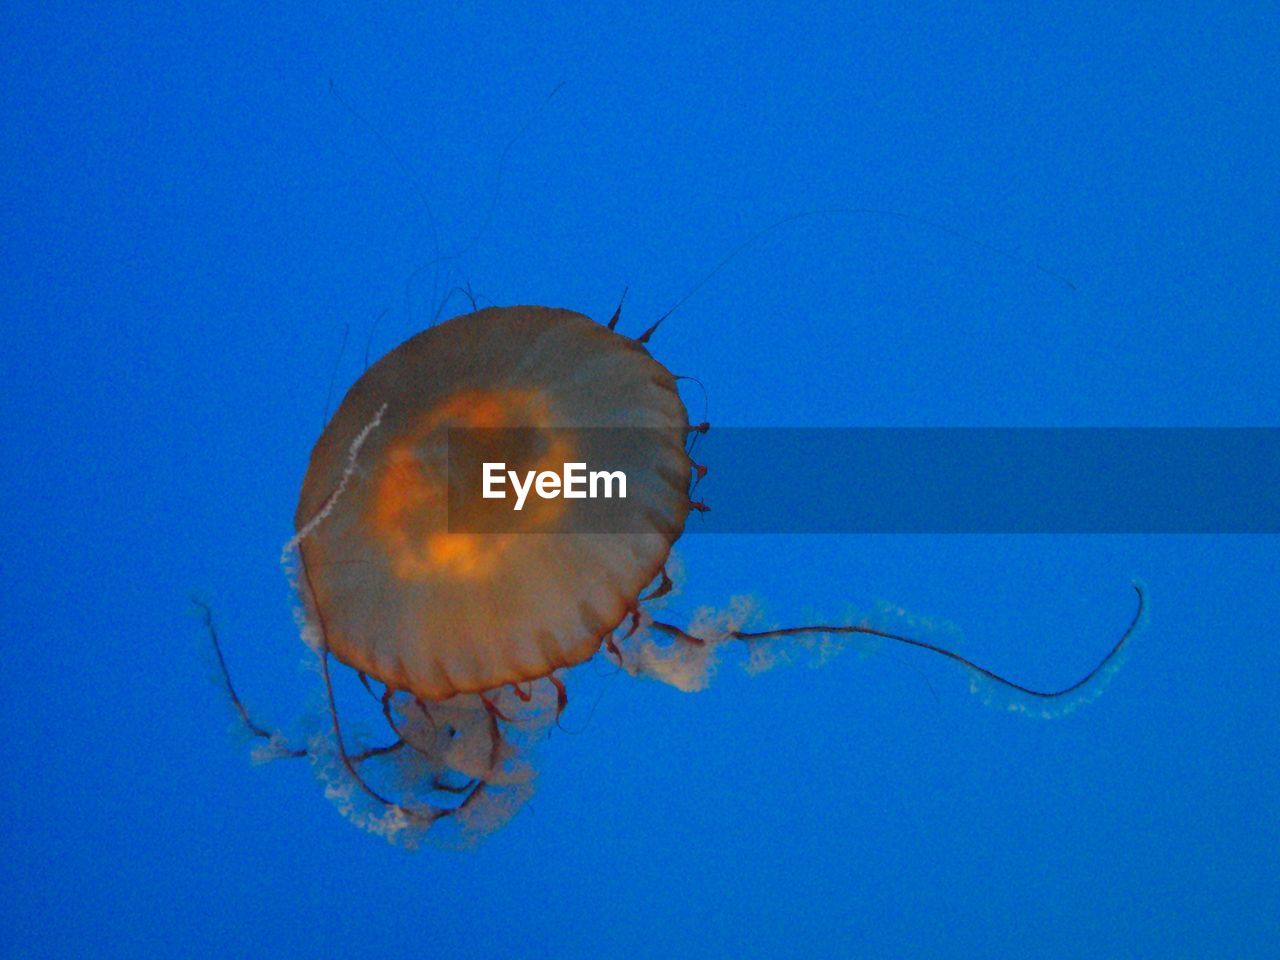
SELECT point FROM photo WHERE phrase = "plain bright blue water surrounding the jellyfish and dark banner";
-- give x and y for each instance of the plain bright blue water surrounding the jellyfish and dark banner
(190, 221)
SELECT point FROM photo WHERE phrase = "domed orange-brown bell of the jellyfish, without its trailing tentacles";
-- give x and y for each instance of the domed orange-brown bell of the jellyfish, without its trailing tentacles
(391, 592)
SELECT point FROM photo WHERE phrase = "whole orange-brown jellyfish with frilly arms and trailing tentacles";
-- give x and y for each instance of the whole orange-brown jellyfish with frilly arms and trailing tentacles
(465, 639)
